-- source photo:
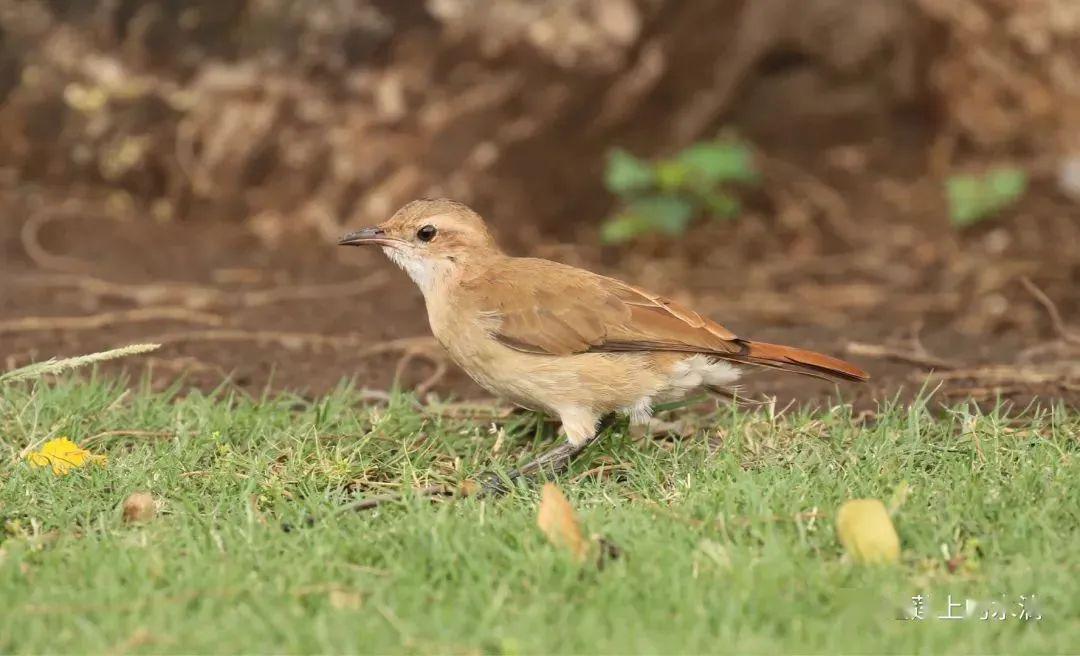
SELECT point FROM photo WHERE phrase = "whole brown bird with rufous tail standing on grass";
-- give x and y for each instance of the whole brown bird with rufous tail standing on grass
(564, 341)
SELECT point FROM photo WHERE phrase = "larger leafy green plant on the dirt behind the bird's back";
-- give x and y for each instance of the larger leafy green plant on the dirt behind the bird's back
(665, 196)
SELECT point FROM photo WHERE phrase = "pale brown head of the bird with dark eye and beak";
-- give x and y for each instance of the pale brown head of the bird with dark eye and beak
(430, 238)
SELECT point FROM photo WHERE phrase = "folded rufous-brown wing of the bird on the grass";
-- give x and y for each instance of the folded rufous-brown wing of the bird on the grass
(544, 307)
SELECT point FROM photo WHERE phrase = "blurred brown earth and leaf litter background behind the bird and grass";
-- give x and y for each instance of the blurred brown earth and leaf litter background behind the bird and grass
(896, 182)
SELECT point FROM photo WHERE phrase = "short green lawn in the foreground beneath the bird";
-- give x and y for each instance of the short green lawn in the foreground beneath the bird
(721, 550)
